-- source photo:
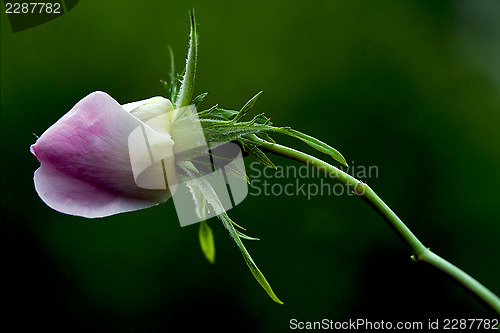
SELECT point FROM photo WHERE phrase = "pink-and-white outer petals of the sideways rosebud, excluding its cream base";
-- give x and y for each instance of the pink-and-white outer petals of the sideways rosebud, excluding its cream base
(85, 164)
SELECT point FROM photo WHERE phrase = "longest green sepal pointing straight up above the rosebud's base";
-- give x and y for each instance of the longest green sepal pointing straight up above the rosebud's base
(187, 82)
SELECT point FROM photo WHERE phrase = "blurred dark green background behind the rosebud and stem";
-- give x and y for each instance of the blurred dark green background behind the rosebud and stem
(411, 87)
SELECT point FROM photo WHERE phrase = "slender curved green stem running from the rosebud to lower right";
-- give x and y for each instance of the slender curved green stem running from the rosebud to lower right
(420, 252)
